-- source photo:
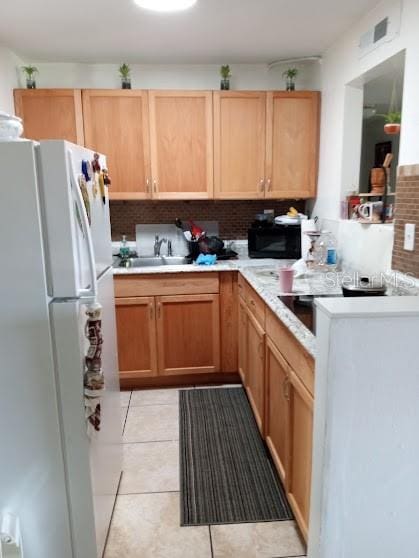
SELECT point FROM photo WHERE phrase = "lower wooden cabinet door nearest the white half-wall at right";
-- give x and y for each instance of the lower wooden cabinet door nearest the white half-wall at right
(301, 442)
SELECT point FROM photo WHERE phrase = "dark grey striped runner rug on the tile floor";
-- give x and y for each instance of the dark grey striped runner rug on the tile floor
(226, 473)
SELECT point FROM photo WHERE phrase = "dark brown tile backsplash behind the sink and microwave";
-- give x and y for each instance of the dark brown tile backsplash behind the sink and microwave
(234, 217)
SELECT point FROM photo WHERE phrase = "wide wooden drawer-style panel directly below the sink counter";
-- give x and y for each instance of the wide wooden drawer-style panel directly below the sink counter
(166, 284)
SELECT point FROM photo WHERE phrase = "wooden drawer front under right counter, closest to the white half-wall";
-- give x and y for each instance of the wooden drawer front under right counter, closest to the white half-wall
(295, 354)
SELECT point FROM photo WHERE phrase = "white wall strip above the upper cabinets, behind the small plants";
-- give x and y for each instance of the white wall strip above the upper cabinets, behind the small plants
(188, 76)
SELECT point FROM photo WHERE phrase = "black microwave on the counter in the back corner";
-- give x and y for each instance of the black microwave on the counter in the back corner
(276, 241)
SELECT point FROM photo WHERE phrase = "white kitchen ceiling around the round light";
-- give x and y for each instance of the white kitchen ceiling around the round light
(213, 31)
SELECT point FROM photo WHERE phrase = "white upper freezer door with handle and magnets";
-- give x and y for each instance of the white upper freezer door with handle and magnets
(76, 249)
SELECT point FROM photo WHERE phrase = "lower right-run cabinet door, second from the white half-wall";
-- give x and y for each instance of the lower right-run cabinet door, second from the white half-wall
(277, 408)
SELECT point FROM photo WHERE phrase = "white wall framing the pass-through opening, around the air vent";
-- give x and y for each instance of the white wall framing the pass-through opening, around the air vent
(341, 69)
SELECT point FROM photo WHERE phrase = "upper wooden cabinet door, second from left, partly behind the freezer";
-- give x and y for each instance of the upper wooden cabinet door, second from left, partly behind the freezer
(116, 124)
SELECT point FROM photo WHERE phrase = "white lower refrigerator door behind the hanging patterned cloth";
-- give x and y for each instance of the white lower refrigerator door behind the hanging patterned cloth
(93, 462)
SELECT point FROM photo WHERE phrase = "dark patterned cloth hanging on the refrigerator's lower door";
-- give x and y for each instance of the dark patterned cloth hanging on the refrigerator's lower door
(94, 381)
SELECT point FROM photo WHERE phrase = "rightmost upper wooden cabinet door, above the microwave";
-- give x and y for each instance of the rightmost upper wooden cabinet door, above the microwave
(292, 144)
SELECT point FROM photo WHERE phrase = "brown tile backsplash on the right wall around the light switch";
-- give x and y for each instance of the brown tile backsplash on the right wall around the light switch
(407, 211)
